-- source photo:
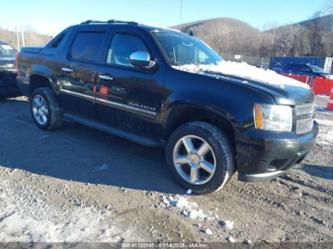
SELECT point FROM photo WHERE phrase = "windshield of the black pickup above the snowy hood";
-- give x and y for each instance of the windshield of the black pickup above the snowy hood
(182, 49)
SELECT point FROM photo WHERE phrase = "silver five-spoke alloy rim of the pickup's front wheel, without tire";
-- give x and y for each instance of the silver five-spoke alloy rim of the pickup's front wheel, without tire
(194, 160)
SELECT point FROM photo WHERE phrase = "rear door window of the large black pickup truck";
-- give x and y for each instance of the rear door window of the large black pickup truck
(86, 46)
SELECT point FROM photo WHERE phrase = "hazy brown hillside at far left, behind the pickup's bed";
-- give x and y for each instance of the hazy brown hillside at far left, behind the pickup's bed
(31, 38)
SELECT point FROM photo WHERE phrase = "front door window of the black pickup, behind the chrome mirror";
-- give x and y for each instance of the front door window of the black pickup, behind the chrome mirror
(121, 48)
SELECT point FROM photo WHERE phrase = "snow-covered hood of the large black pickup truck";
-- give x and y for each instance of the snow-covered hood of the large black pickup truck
(286, 91)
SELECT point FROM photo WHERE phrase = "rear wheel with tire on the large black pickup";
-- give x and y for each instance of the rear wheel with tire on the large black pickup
(49, 108)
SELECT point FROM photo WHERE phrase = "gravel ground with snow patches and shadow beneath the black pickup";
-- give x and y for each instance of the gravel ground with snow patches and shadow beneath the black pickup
(78, 184)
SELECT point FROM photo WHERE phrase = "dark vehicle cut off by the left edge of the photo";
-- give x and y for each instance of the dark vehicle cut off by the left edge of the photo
(8, 87)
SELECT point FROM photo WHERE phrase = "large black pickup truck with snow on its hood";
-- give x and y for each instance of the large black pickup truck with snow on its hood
(160, 87)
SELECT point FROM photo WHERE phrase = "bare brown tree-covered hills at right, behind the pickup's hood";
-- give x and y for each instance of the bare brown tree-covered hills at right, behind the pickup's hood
(230, 36)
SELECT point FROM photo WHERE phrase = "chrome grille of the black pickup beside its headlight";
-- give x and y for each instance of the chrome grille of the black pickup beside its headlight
(304, 118)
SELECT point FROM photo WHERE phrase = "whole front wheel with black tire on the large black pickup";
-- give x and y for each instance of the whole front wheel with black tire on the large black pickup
(220, 155)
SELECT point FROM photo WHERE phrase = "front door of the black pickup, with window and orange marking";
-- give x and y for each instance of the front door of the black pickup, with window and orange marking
(127, 97)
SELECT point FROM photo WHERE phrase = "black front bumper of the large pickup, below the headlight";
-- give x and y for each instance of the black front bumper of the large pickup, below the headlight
(265, 155)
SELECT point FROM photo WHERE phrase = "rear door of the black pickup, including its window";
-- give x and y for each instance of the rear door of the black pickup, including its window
(76, 75)
